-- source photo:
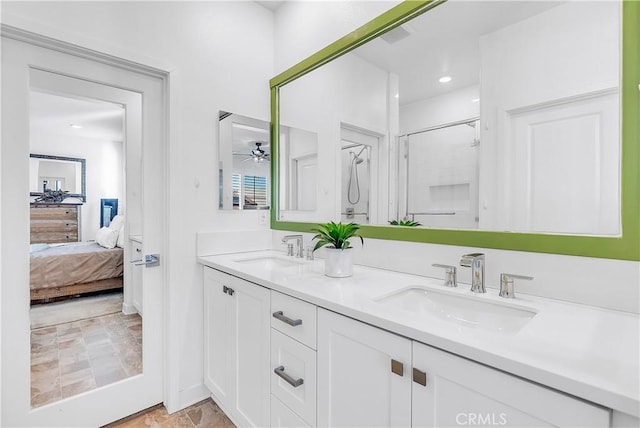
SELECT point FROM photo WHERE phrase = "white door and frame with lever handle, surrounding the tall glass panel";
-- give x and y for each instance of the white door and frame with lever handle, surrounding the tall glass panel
(26, 65)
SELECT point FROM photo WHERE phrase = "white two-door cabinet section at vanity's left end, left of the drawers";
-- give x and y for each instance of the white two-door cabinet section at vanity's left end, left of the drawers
(236, 347)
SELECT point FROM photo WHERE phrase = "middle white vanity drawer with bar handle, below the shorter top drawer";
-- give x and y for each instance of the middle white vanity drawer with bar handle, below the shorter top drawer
(296, 384)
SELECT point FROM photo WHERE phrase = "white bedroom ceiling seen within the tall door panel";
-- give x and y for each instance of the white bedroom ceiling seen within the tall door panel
(53, 114)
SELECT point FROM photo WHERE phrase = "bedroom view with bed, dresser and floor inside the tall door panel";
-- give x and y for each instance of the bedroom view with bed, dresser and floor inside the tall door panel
(81, 337)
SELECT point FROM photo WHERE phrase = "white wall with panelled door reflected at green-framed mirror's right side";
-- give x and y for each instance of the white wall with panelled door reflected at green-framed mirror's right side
(546, 63)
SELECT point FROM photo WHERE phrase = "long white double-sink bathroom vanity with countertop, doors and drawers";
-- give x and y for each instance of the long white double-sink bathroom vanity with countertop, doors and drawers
(287, 346)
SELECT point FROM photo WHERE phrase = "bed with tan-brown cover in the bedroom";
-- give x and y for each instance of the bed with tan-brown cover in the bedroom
(59, 270)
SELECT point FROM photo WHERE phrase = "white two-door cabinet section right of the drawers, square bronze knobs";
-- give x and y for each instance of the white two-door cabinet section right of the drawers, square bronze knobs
(370, 377)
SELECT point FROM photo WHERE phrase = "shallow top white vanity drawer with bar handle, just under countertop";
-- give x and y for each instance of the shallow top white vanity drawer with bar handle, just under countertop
(294, 317)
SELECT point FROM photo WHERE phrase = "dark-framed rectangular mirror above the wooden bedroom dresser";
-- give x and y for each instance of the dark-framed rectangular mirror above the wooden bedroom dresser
(60, 173)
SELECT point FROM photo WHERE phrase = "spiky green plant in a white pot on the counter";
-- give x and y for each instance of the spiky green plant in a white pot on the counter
(338, 262)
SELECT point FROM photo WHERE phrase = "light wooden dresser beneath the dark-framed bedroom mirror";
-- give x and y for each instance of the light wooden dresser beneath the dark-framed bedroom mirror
(51, 223)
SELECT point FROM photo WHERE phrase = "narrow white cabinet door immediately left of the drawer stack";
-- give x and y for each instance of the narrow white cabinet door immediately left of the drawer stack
(250, 353)
